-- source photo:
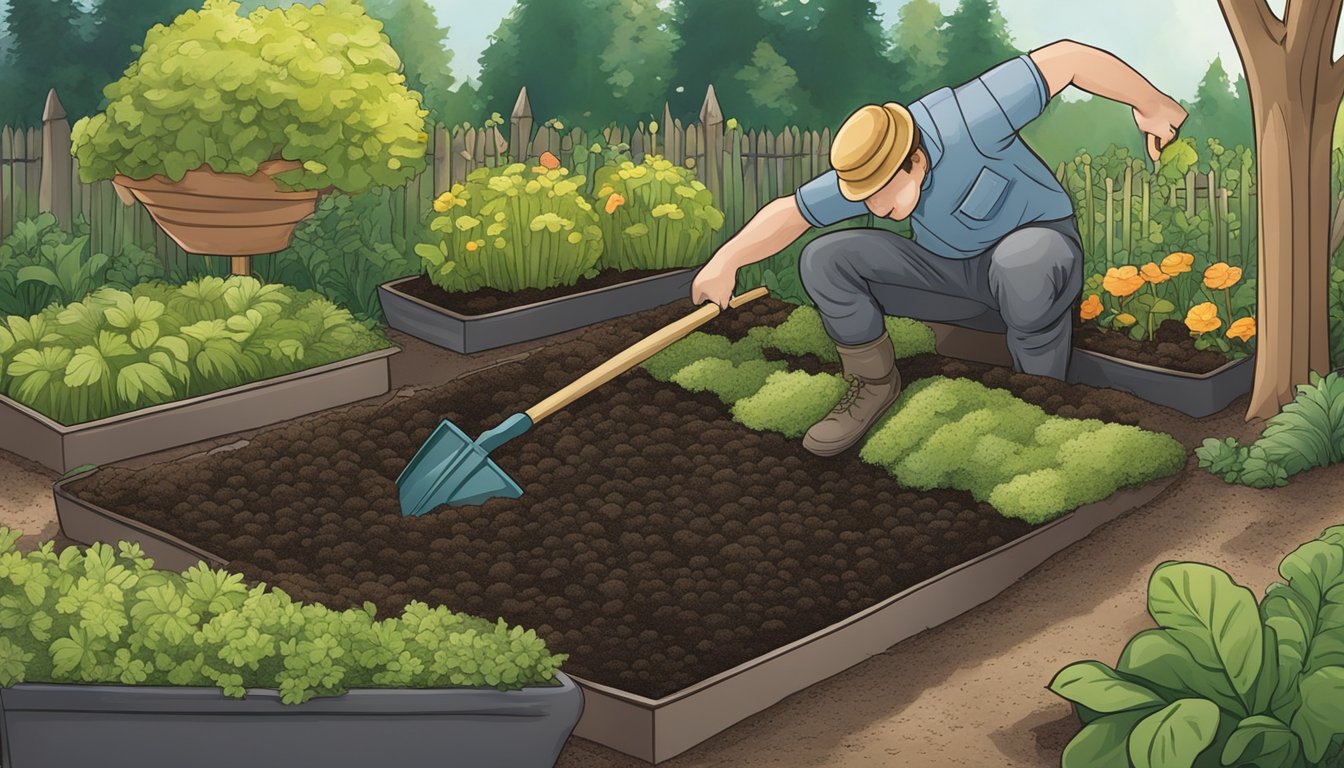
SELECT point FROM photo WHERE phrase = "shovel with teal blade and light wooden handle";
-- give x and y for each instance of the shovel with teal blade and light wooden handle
(451, 469)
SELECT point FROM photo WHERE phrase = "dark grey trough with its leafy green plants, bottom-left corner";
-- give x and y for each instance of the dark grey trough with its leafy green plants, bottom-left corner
(106, 656)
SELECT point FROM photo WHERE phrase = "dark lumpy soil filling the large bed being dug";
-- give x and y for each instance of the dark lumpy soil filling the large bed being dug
(658, 543)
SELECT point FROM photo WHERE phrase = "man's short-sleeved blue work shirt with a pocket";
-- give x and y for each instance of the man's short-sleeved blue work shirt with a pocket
(983, 180)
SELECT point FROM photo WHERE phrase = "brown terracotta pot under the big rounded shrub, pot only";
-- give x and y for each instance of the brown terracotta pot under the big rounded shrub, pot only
(222, 215)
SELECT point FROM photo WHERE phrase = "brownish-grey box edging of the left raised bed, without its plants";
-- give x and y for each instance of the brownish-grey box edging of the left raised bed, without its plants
(62, 449)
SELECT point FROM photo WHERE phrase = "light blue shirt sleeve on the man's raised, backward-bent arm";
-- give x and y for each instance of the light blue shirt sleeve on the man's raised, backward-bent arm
(1003, 102)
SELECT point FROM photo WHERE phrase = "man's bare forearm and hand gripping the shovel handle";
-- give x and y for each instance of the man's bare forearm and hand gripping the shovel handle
(769, 232)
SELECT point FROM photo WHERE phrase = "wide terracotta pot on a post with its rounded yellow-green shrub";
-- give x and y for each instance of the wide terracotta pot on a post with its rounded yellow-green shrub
(228, 127)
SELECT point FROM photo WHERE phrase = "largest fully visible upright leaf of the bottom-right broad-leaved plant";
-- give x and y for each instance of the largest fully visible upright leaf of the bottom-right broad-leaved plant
(1214, 619)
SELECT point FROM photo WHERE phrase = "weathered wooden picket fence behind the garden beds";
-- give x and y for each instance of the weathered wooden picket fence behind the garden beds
(744, 170)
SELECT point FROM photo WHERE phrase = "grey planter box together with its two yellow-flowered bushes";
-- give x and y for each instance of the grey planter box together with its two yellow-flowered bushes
(519, 252)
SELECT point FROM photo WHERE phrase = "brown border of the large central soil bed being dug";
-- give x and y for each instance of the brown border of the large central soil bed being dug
(661, 730)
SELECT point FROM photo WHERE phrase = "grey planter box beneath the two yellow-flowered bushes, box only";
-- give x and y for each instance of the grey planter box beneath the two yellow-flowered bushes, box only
(476, 333)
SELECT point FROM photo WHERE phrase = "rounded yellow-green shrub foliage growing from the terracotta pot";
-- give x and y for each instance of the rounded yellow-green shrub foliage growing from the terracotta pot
(319, 85)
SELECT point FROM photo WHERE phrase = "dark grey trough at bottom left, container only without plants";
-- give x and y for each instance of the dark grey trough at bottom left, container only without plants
(64, 726)
